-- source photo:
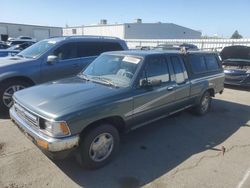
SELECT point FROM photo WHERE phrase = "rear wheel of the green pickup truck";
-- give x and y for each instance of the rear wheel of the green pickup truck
(202, 108)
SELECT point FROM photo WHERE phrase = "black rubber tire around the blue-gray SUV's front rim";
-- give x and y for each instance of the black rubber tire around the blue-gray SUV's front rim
(4, 86)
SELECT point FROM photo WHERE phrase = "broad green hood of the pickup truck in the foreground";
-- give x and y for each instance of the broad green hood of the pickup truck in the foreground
(60, 98)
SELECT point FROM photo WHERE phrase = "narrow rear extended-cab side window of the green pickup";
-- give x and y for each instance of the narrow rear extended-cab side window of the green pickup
(179, 70)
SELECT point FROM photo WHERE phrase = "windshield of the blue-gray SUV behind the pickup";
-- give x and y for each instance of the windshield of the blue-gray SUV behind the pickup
(37, 49)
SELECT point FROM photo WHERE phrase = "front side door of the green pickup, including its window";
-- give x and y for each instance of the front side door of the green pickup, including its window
(155, 101)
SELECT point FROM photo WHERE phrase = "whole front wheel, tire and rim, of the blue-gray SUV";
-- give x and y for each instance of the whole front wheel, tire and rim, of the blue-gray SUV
(7, 89)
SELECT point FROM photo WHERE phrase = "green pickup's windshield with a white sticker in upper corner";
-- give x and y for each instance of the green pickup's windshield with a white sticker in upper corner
(116, 70)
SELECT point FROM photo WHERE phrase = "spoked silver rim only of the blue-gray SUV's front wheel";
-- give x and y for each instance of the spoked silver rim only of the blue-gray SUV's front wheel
(8, 93)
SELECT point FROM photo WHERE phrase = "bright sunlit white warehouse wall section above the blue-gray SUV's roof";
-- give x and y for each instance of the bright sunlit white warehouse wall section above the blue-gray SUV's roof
(105, 30)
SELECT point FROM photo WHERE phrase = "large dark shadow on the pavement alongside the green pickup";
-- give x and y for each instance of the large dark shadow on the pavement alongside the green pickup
(152, 151)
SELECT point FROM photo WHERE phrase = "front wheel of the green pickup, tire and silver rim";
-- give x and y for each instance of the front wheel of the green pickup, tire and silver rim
(98, 146)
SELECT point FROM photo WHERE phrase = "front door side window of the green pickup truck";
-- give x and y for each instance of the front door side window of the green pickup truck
(157, 69)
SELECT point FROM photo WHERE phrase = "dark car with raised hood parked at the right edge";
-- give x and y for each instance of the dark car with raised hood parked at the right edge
(236, 64)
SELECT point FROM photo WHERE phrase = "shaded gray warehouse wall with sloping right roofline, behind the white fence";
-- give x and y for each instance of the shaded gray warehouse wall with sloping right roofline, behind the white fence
(159, 31)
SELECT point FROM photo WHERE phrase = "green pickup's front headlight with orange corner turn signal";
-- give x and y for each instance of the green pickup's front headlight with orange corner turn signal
(56, 129)
